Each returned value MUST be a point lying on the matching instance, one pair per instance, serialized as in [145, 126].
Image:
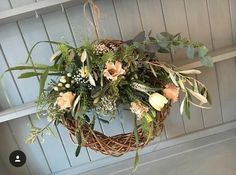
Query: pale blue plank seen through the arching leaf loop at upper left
[33, 31]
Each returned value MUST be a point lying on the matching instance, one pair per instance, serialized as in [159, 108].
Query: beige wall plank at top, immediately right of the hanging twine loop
[130, 23]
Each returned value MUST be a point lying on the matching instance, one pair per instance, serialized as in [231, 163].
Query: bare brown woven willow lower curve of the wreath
[119, 144]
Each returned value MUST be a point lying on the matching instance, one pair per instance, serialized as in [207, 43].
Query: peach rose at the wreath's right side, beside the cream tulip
[171, 92]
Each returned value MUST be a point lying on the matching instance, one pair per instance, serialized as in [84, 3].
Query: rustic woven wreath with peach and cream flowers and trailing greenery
[88, 83]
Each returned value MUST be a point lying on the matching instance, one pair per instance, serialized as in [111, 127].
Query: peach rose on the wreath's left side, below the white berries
[65, 100]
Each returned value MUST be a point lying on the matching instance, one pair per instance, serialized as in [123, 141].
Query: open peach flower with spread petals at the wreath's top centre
[112, 70]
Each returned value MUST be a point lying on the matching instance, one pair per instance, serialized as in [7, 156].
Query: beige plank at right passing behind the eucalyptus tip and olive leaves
[199, 28]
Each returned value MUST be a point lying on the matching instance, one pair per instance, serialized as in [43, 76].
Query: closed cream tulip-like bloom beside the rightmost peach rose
[157, 101]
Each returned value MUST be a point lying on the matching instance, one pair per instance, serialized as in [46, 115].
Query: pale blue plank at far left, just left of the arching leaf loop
[16, 53]
